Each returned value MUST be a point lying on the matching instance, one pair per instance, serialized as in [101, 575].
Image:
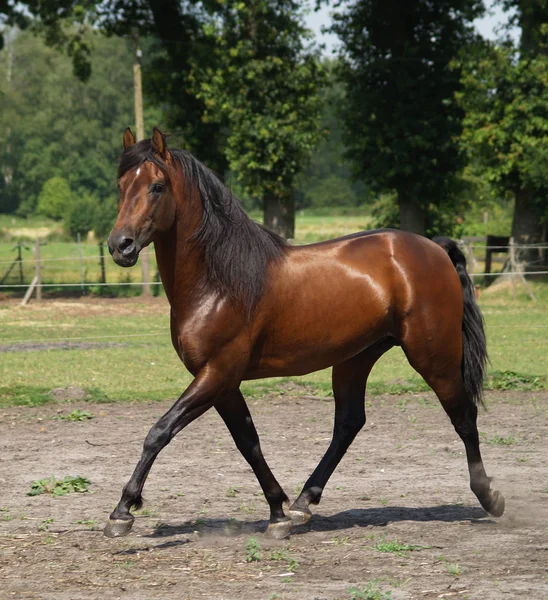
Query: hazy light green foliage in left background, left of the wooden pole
[57, 127]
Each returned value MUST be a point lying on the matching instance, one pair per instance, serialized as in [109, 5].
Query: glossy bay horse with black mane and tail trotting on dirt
[245, 305]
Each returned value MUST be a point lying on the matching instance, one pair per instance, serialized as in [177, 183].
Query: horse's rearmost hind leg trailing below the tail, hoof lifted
[441, 369]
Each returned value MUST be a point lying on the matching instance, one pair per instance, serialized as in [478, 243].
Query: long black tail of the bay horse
[474, 350]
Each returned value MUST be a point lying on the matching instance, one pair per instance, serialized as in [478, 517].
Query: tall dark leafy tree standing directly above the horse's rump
[401, 122]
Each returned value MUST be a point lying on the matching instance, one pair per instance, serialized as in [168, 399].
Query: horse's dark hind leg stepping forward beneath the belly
[349, 380]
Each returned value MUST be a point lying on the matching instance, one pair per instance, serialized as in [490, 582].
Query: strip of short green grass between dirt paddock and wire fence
[127, 352]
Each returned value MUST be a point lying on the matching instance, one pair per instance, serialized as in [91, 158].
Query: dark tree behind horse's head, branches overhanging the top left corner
[174, 38]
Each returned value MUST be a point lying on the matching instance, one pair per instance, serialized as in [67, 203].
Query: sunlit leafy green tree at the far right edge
[505, 98]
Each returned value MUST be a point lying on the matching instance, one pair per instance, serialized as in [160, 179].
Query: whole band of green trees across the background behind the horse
[418, 120]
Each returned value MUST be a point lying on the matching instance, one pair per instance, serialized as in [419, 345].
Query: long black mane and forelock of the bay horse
[237, 250]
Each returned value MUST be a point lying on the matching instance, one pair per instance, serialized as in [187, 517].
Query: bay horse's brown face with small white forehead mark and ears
[146, 205]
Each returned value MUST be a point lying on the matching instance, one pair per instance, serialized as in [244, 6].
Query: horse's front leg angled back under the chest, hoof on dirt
[234, 412]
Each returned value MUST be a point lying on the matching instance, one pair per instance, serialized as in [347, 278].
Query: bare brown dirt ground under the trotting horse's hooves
[402, 488]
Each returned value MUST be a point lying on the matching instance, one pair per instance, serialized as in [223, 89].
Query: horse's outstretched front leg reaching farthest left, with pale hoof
[200, 395]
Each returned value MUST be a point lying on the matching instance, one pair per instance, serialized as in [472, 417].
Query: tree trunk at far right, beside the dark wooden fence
[526, 225]
